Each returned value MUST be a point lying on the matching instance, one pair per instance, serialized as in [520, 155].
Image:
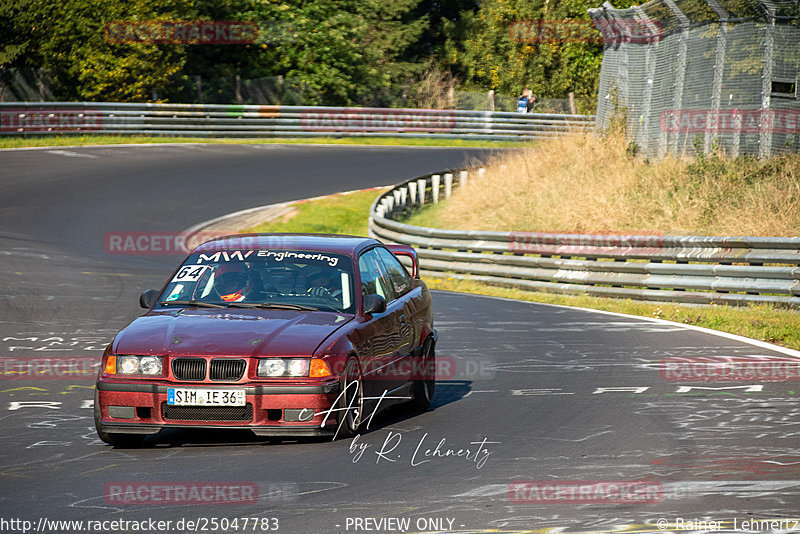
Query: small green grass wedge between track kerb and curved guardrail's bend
[336, 214]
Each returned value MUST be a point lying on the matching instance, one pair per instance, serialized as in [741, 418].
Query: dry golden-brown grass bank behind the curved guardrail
[589, 184]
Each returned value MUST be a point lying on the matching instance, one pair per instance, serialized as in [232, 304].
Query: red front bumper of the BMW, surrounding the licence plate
[127, 407]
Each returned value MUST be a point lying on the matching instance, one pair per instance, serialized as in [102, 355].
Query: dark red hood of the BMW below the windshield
[228, 332]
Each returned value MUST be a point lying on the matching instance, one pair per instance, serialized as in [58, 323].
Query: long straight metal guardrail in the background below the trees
[42, 118]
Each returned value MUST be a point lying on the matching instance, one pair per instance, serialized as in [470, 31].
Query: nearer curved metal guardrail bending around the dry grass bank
[688, 269]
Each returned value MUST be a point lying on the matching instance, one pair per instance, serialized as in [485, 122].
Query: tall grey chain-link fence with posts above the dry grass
[698, 76]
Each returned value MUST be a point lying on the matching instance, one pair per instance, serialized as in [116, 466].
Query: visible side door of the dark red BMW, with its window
[380, 339]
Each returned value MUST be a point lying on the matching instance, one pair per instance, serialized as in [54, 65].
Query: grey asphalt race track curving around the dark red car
[533, 393]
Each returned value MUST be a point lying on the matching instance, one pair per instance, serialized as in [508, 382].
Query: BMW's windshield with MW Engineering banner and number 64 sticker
[288, 279]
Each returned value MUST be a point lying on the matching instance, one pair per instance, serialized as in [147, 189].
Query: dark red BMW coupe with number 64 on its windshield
[281, 334]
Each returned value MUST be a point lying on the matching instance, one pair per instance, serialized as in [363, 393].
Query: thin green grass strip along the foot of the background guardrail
[79, 140]
